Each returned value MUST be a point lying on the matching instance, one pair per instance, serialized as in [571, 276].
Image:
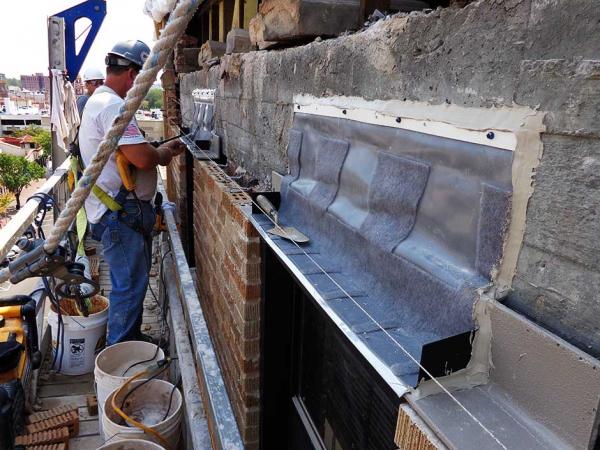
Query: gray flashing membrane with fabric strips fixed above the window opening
[410, 225]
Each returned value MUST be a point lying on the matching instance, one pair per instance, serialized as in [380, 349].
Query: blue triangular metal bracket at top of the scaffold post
[95, 11]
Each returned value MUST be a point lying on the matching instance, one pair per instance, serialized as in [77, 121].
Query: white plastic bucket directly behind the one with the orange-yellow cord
[115, 364]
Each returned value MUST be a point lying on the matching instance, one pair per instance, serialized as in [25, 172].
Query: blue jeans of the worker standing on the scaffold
[128, 253]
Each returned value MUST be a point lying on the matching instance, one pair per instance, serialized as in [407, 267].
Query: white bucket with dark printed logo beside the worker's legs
[83, 338]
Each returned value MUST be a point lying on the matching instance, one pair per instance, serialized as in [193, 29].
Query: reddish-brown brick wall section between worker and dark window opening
[227, 255]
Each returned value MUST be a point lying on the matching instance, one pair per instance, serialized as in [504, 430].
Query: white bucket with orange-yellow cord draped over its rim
[148, 404]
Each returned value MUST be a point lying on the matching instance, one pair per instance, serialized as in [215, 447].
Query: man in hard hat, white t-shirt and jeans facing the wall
[123, 220]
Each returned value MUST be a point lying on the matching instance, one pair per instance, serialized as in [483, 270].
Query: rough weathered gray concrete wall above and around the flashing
[492, 53]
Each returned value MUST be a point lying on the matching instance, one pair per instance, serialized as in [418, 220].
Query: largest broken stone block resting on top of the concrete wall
[285, 20]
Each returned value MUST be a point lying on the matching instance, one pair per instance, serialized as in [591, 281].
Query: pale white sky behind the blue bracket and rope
[24, 35]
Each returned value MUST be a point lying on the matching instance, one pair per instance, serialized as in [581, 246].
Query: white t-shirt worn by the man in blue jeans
[98, 115]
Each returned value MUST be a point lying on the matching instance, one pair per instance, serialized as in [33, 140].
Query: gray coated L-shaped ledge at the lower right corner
[543, 393]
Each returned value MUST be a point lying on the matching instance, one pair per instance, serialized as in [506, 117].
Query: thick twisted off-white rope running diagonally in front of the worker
[176, 25]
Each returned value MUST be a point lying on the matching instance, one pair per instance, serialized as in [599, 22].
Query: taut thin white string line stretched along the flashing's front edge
[398, 344]
